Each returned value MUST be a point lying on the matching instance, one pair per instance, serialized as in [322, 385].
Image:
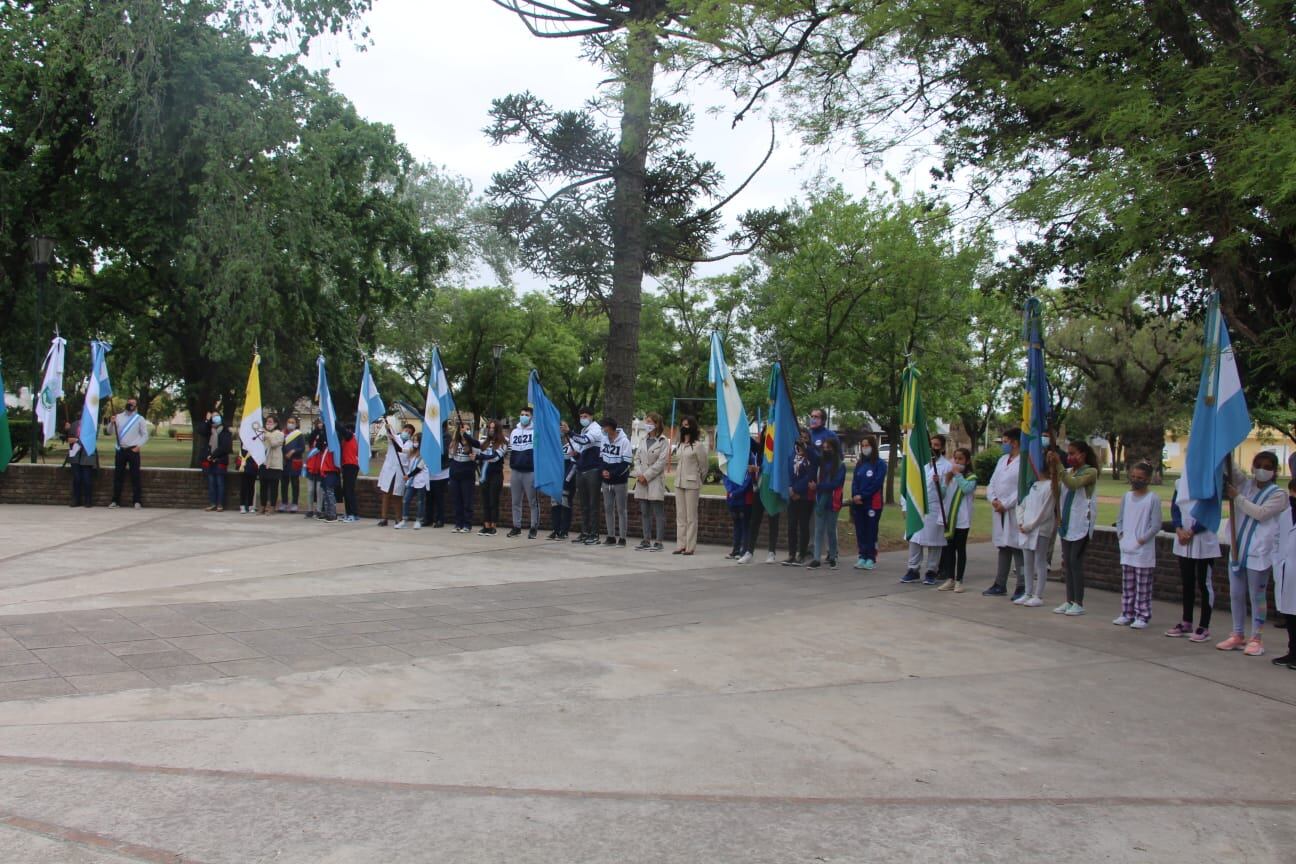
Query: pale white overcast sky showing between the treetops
[435, 67]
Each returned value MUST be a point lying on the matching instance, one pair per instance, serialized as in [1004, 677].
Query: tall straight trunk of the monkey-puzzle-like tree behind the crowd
[629, 210]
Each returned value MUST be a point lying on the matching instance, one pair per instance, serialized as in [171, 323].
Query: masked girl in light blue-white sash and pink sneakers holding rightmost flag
[1258, 503]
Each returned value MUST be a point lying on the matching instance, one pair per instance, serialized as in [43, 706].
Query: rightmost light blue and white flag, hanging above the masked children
[1220, 420]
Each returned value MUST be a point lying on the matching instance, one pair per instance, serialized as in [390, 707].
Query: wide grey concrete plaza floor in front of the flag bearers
[212, 688]
